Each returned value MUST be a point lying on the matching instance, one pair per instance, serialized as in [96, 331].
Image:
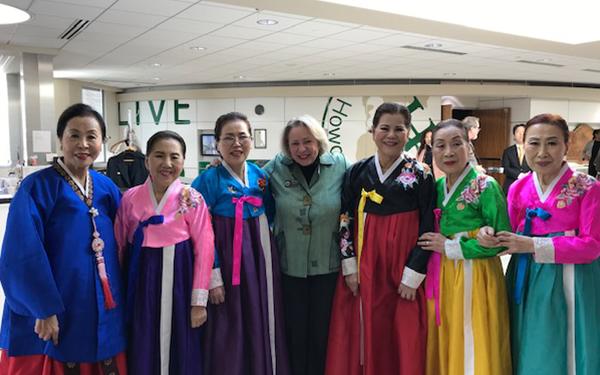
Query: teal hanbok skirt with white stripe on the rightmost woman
[555, 330]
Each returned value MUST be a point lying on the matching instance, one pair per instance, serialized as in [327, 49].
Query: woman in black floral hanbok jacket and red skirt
[379, 326]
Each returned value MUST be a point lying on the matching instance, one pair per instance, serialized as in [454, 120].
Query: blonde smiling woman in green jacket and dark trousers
[306, 182]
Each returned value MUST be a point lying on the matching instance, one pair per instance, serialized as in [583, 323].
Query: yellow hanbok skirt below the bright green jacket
[478, 341]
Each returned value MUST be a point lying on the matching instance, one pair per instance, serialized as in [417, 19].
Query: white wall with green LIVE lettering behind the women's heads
[346, 119]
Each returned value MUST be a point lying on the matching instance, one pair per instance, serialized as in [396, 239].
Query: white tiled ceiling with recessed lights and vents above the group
[132, 43]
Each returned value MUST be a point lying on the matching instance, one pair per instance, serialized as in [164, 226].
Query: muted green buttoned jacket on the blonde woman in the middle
[307, 215]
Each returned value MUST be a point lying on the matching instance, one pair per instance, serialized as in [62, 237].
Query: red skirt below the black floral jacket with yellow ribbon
[391, 337]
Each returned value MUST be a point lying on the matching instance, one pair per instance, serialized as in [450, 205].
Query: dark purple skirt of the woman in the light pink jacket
[161, 333]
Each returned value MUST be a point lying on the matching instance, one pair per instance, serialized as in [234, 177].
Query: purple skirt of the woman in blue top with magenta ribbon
[245, 334]
